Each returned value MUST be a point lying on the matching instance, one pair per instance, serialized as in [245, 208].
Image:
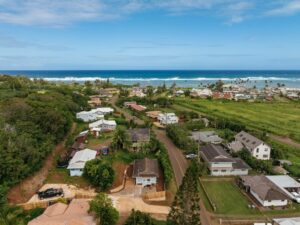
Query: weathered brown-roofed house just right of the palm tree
[139, 137]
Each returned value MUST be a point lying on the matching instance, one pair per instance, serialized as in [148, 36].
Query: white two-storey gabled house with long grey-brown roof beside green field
[256, 147]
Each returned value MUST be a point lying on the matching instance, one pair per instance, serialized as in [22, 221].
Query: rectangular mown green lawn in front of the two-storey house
[228, 198]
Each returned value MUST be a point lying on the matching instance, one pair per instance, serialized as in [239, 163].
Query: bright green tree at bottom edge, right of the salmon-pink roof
[103, 208]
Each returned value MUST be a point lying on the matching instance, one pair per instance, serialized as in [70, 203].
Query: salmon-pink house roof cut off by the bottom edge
[76, 213]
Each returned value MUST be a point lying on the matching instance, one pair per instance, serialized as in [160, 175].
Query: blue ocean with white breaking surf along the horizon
[184, 78]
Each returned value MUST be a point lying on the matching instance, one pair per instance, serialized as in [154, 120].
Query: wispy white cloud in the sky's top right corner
[286, 8]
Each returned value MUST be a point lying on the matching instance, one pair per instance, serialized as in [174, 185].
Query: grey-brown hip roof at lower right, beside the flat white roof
[264, 188]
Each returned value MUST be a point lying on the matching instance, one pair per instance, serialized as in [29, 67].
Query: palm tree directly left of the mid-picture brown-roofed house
[121, 140]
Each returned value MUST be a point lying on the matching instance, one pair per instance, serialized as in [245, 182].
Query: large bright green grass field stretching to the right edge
[280, 118]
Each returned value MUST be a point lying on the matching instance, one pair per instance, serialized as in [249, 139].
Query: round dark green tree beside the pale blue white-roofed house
[100, 173]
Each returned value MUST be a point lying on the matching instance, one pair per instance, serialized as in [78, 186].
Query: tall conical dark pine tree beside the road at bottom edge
[185, 209]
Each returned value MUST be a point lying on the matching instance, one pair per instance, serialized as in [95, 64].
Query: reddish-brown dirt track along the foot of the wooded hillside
[23, 191]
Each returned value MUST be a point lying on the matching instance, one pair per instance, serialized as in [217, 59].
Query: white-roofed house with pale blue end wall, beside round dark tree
[77, 163]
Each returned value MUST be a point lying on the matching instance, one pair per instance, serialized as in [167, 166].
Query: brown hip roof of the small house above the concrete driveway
[145, 168]
